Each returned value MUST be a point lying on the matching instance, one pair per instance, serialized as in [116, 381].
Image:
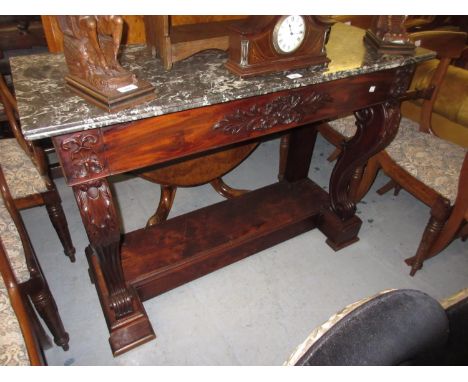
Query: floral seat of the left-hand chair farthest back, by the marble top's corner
[21, 175]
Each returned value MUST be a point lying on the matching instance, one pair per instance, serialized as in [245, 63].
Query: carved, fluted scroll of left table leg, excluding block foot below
[100, 219]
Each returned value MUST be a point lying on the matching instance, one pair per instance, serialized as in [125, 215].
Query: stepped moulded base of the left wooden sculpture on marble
[112, 101]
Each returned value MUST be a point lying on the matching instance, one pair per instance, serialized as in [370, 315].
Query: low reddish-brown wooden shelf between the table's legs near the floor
[162, 257]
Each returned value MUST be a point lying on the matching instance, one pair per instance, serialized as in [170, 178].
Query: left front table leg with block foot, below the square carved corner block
[127, 321]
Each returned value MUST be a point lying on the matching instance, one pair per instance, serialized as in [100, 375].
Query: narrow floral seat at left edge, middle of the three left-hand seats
[12, 242]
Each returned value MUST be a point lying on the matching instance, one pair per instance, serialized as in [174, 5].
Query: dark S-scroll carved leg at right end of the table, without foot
[376, 127]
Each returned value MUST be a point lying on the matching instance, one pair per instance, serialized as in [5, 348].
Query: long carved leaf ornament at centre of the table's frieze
[283, 110]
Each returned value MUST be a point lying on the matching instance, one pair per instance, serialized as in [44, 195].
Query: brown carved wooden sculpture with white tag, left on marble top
[91, 45]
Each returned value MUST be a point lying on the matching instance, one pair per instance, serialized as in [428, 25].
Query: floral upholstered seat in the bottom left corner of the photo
[13, 350]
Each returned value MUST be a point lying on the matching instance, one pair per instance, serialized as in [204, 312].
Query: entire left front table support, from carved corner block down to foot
[85, 168]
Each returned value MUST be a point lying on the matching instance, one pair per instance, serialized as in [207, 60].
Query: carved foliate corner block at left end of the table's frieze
[83, 155]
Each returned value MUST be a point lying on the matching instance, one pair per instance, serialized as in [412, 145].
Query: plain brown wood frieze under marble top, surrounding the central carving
[190, 132]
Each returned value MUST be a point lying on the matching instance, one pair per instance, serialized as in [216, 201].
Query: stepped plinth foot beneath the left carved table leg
[126, 333]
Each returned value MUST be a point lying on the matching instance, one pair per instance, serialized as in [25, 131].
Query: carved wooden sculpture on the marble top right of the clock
[388, 35]
